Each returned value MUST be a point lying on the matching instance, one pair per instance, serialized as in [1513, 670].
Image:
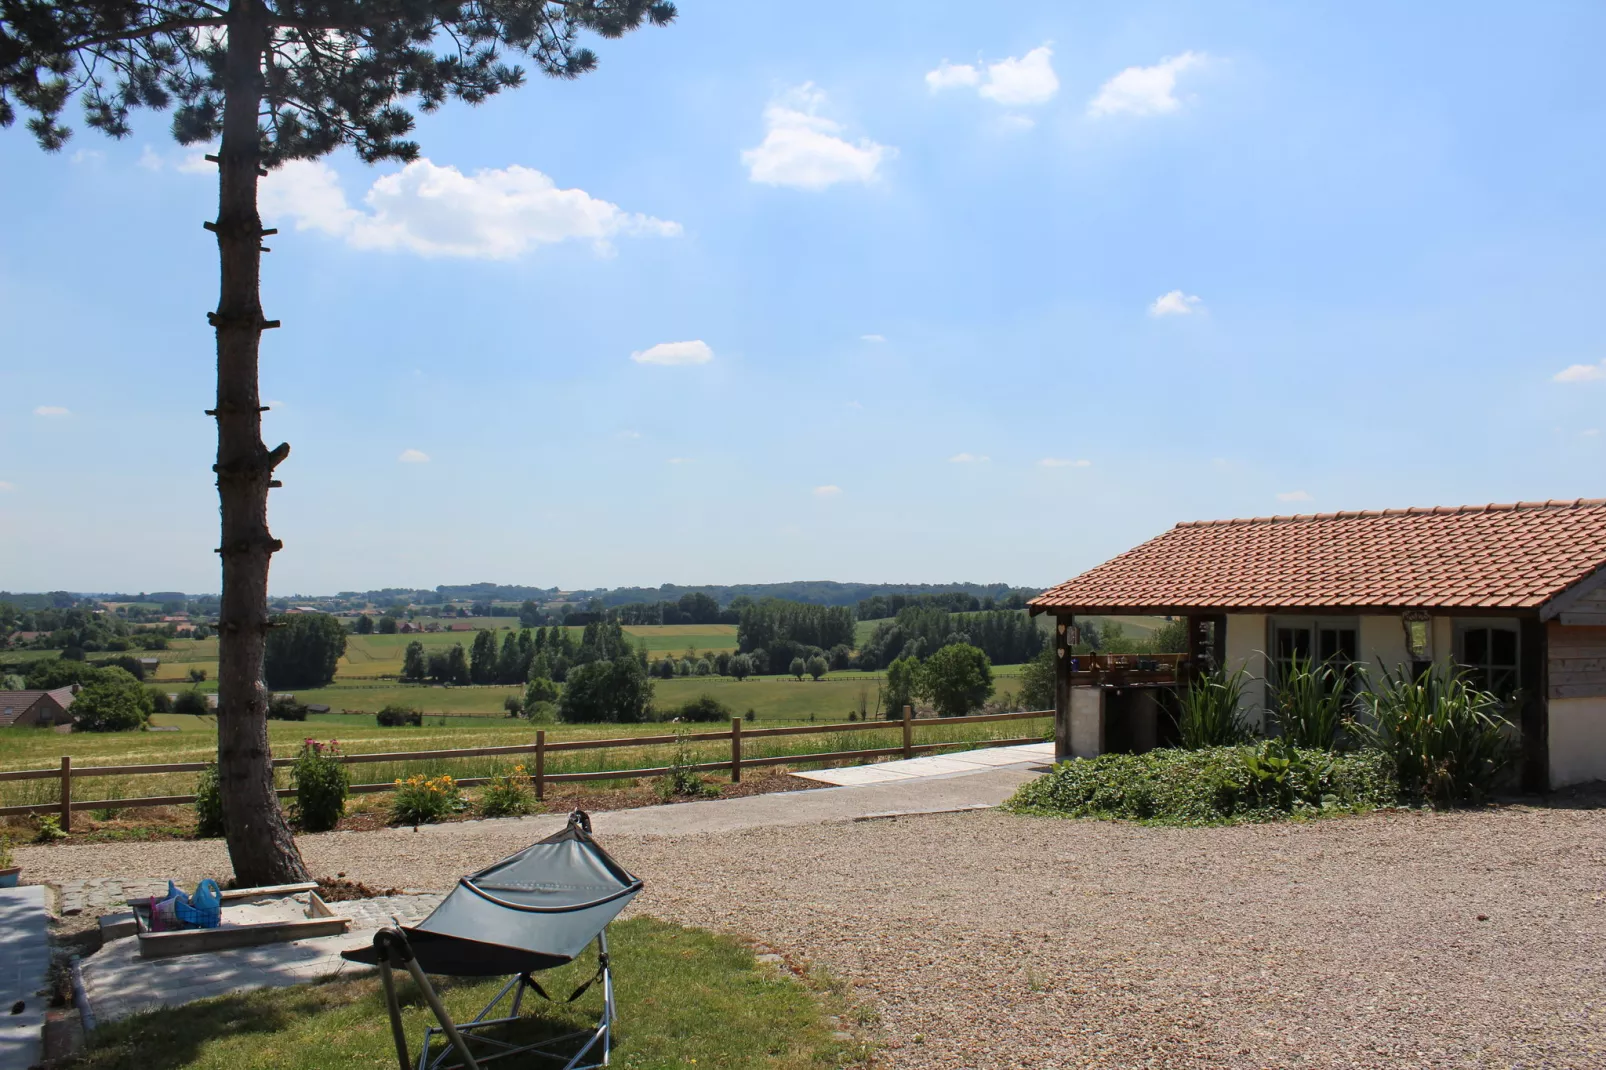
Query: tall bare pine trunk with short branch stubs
[259, 839]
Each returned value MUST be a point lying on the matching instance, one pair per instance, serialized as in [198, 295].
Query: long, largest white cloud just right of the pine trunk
[442, 213]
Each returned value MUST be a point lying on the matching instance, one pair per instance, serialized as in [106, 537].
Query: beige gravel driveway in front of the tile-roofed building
[992, 941]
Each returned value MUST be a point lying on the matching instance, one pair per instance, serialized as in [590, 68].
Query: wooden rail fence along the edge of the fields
[738, 737]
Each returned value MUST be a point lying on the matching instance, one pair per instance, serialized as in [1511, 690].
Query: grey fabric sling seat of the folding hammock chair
[531, 912]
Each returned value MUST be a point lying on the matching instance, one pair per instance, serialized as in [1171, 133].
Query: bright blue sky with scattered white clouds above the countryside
[908, 298]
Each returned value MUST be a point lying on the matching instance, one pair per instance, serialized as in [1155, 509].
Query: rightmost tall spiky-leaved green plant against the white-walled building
[1446, 738]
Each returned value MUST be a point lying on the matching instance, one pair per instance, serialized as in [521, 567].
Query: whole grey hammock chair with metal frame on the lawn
[528, 913]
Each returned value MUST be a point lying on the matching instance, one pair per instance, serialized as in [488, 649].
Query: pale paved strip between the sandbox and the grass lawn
[120, 982]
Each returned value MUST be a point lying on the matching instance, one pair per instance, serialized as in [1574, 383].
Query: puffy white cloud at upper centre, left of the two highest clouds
[804, 150]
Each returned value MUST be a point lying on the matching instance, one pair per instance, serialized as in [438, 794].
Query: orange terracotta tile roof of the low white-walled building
[1498, 557]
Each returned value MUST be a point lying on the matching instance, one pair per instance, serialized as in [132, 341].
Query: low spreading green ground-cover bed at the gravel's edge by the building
[1210, 786]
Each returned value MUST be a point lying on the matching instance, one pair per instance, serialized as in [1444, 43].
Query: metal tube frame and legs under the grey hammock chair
[396, 952]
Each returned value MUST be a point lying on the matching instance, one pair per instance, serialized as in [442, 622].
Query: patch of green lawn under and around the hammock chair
[687, 999]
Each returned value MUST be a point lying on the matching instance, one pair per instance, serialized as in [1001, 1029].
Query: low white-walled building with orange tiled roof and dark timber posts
[1515, 595]
